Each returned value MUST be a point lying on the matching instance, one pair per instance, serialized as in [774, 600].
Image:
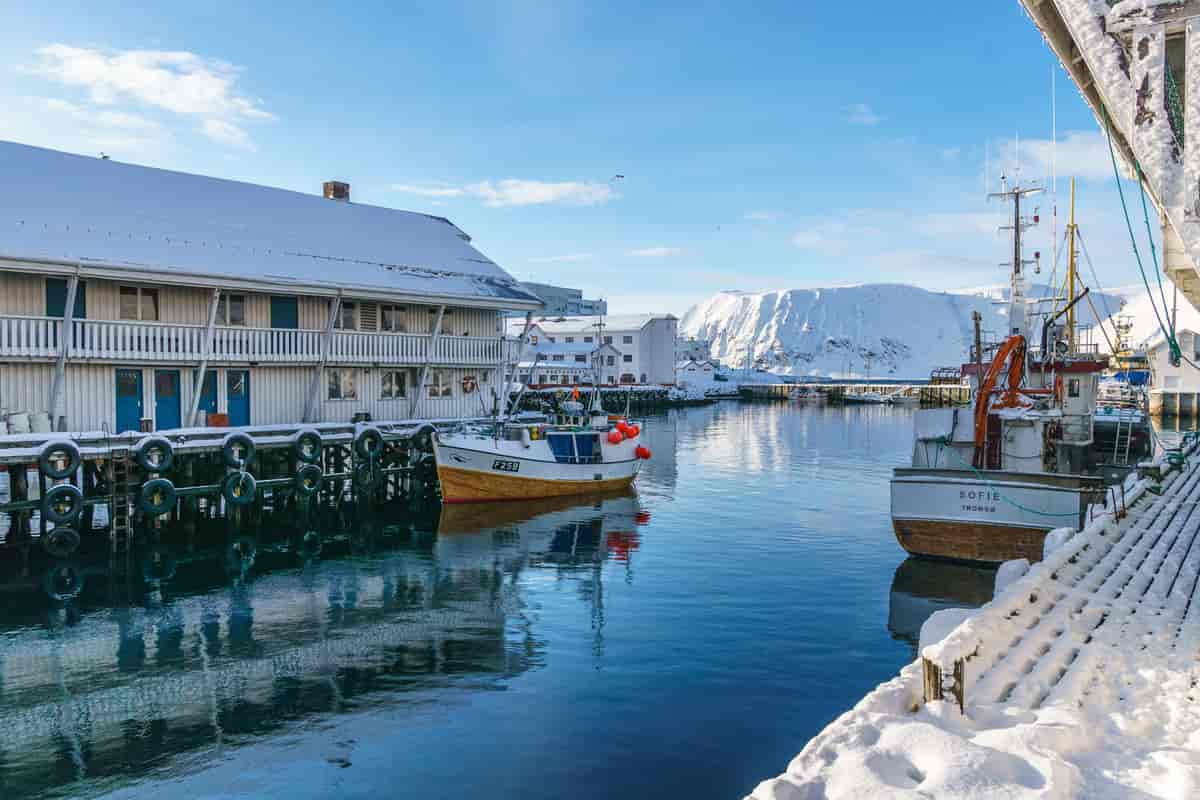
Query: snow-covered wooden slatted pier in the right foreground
[1078, 681]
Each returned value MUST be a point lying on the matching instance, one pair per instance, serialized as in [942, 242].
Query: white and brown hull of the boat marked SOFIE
[988, 516]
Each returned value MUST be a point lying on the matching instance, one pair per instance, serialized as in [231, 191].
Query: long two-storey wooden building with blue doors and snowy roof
[135, 297]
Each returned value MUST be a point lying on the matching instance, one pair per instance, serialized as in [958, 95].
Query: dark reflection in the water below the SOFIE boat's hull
[922, 587]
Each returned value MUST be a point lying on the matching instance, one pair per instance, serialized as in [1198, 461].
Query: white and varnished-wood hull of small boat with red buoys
[478, 474]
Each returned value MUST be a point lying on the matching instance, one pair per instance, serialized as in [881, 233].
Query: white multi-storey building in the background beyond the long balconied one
[643, 345]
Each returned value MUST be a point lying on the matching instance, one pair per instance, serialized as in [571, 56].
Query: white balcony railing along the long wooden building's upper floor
[101, 340]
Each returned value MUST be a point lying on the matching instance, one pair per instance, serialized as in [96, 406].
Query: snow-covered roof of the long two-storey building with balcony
[116, 218]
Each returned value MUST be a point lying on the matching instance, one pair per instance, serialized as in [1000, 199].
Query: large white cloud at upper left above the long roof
[122, 86]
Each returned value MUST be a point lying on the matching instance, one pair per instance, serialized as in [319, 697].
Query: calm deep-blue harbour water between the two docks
[686, 639]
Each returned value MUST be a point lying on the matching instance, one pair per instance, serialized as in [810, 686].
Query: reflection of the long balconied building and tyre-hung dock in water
[232, 636]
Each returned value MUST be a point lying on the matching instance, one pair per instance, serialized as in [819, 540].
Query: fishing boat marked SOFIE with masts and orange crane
[988, 484]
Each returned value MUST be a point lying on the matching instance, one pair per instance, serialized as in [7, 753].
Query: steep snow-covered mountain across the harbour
[885, 330]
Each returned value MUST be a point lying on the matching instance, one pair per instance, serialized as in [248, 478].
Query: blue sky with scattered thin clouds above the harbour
[776, 147]
